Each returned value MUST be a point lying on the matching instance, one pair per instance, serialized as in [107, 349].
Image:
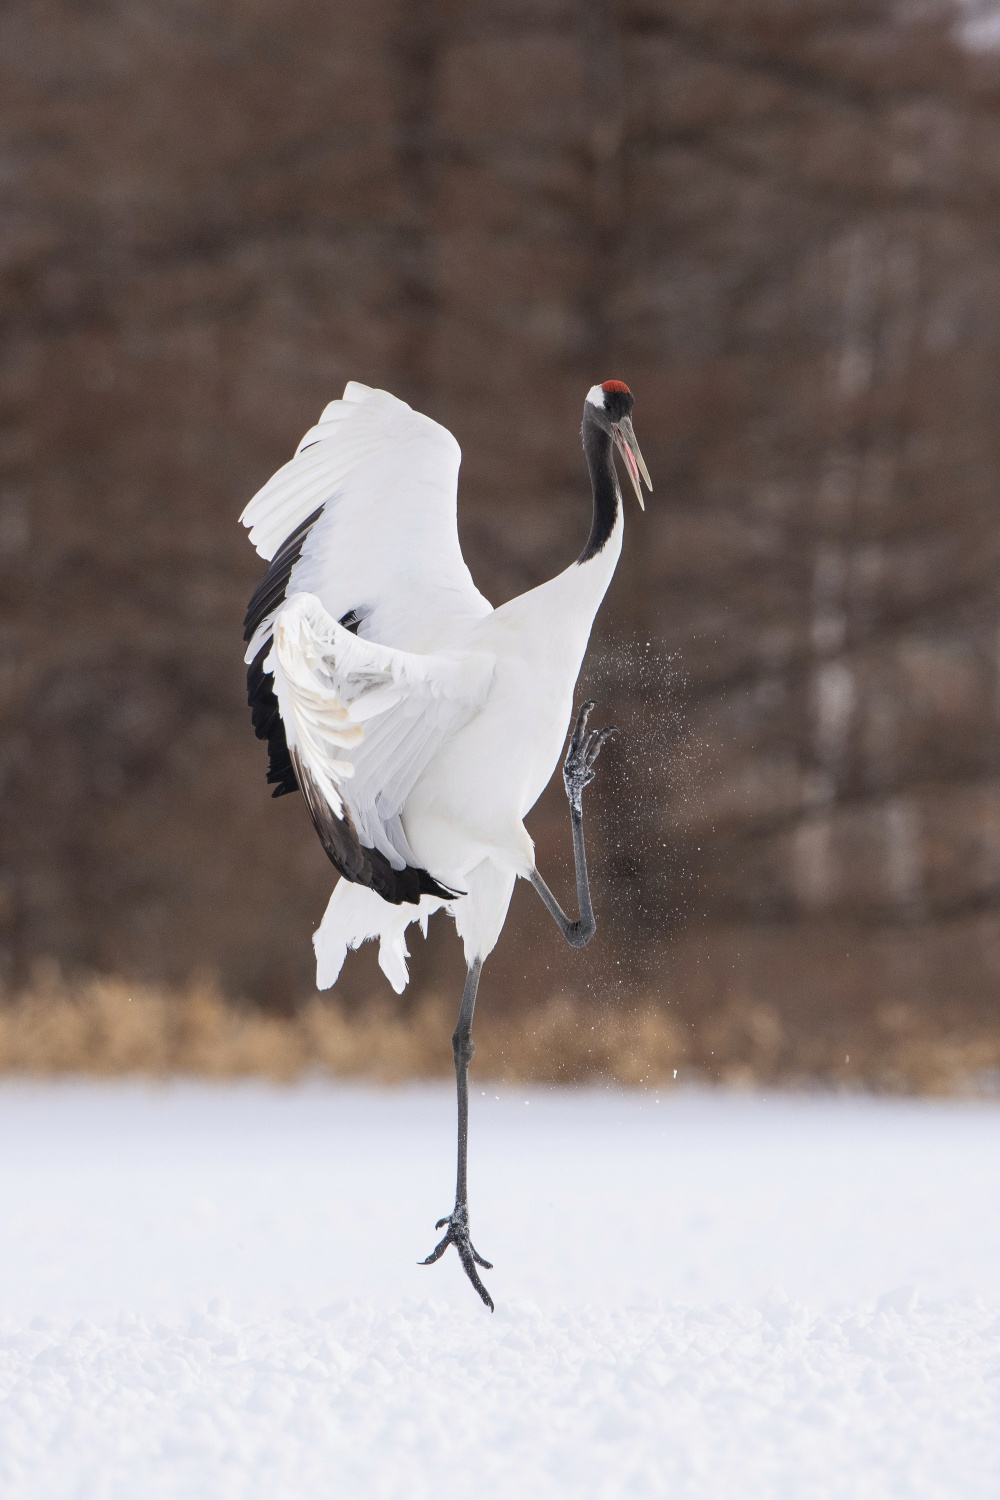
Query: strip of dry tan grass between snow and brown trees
[106, 1027]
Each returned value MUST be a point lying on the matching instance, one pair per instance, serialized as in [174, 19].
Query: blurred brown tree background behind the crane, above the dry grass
[776, 220]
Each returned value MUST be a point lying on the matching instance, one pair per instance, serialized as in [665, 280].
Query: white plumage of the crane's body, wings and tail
[440, 724]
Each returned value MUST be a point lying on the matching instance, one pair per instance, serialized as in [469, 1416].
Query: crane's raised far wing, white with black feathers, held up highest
[364, 517]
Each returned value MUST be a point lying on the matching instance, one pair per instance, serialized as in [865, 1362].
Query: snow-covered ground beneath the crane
[212, 1292]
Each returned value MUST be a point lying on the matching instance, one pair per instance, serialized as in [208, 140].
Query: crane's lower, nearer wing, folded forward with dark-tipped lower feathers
[362, 722]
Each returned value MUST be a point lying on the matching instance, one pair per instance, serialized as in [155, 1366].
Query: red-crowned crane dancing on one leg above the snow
[419, 722]
